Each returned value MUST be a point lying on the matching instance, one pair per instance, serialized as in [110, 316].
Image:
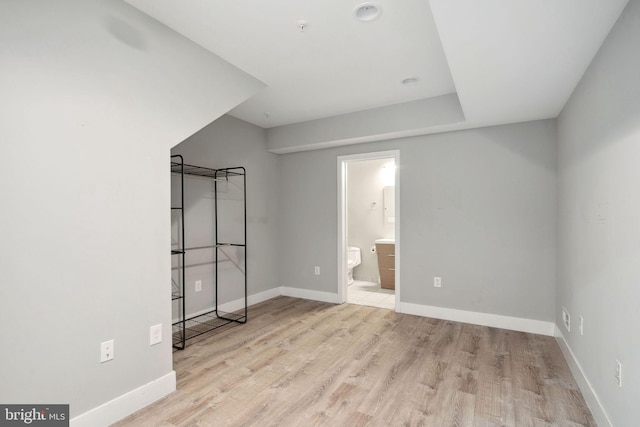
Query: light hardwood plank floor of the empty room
[305, 363]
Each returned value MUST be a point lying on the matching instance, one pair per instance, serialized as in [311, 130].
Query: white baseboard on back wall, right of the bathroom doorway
[483, 319]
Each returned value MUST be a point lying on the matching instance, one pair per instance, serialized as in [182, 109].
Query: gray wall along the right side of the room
[599, 219]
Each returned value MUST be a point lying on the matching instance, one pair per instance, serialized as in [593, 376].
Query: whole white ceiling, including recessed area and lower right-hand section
[508, 60]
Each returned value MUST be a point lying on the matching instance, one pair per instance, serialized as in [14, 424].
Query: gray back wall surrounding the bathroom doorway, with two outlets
[478, 208]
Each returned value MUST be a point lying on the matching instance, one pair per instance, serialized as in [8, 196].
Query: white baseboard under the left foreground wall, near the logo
[126, 404]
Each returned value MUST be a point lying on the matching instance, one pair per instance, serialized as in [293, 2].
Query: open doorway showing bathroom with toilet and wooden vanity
[368, 222]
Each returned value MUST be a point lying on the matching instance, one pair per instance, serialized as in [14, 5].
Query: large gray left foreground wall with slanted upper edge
[94, 94]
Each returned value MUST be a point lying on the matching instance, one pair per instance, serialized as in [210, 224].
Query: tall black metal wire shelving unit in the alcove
[187, 327]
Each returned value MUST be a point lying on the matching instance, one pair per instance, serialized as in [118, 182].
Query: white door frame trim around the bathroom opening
[342, 218]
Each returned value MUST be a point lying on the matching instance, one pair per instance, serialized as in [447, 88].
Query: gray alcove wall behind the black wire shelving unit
[230, 142]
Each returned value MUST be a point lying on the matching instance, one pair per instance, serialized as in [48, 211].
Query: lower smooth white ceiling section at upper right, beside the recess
[518, 60]
